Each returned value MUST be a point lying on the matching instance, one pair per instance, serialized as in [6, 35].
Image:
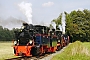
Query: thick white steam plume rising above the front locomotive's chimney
[26, 8]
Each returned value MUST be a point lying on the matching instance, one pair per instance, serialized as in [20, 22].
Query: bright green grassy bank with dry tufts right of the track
[75, 51]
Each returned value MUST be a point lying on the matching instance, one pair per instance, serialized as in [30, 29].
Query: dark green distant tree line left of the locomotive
[6, 34]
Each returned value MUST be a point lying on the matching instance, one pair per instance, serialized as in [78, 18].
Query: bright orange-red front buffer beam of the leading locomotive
[22, 50]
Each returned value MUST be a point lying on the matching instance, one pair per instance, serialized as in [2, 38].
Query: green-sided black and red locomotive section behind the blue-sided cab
[52, 41]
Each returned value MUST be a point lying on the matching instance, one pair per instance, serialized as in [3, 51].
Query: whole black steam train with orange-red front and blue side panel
[34, 40]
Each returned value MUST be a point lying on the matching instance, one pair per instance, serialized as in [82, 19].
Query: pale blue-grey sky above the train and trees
[43, 11]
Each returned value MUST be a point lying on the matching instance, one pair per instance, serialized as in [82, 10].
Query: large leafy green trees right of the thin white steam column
[78, 25]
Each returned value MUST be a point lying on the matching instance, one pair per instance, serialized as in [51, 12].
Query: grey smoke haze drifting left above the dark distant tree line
[11, 22]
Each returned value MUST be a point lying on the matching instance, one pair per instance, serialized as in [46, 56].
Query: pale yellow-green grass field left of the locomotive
[6, 50]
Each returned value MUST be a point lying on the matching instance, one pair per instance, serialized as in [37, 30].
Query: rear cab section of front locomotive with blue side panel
[41, 39]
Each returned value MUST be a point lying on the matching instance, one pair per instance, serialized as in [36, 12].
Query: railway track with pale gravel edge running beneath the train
[42, 57]
